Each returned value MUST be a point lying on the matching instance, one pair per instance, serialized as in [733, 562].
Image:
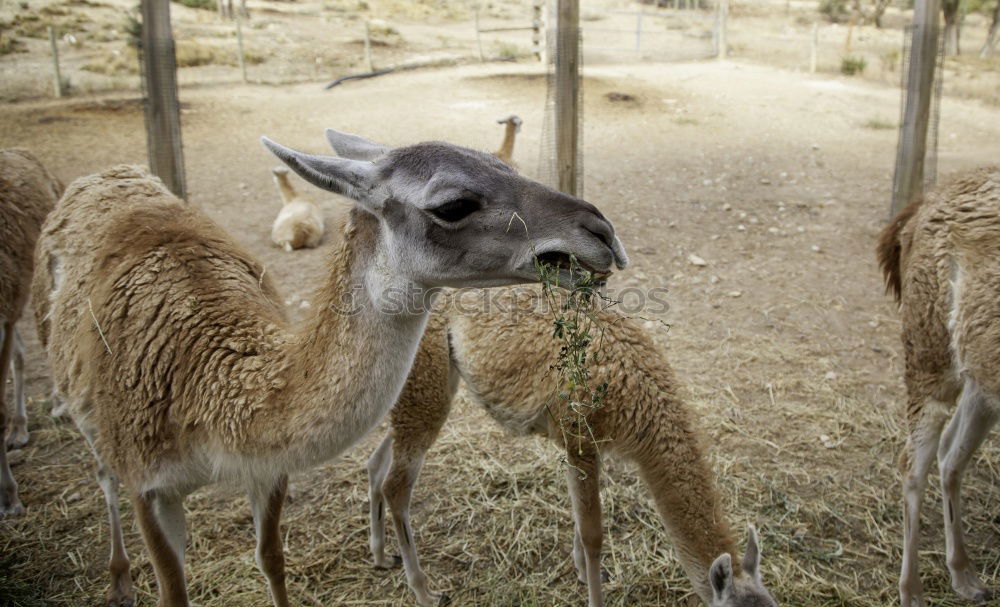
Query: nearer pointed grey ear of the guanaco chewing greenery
[352, 178]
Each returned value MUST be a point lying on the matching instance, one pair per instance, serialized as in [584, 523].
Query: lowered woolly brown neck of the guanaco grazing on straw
[674, 468]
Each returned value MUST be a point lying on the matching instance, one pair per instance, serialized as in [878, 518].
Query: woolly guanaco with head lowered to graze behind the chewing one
[506, 365]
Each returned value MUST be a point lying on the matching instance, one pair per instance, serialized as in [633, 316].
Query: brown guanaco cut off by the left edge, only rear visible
[27, 194]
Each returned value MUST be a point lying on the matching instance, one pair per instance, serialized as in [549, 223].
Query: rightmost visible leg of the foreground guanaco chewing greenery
[270, 555]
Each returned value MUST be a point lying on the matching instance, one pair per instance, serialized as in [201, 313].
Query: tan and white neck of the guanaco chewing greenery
[346, 366]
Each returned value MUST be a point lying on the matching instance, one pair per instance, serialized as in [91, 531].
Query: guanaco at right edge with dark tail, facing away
[941, 259]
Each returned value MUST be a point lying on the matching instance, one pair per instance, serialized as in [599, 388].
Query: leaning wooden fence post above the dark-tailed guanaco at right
[908, 182]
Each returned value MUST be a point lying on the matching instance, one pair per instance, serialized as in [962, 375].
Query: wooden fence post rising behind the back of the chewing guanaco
[163, 120]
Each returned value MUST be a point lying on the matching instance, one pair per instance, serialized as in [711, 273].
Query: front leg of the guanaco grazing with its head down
[583, 476]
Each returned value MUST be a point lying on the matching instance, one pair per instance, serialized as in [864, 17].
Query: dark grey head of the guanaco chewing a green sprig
[452, 216]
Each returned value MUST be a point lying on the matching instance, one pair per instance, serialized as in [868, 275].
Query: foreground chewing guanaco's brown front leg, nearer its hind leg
[162, 525]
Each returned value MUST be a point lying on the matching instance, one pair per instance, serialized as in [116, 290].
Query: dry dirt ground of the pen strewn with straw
[787, 347]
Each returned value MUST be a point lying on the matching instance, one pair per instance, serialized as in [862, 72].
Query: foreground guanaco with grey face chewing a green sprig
[171, 349]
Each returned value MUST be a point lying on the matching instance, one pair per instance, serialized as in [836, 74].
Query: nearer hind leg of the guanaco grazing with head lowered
[398, 489]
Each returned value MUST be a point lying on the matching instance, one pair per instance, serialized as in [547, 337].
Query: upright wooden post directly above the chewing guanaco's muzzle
[567, 93]
